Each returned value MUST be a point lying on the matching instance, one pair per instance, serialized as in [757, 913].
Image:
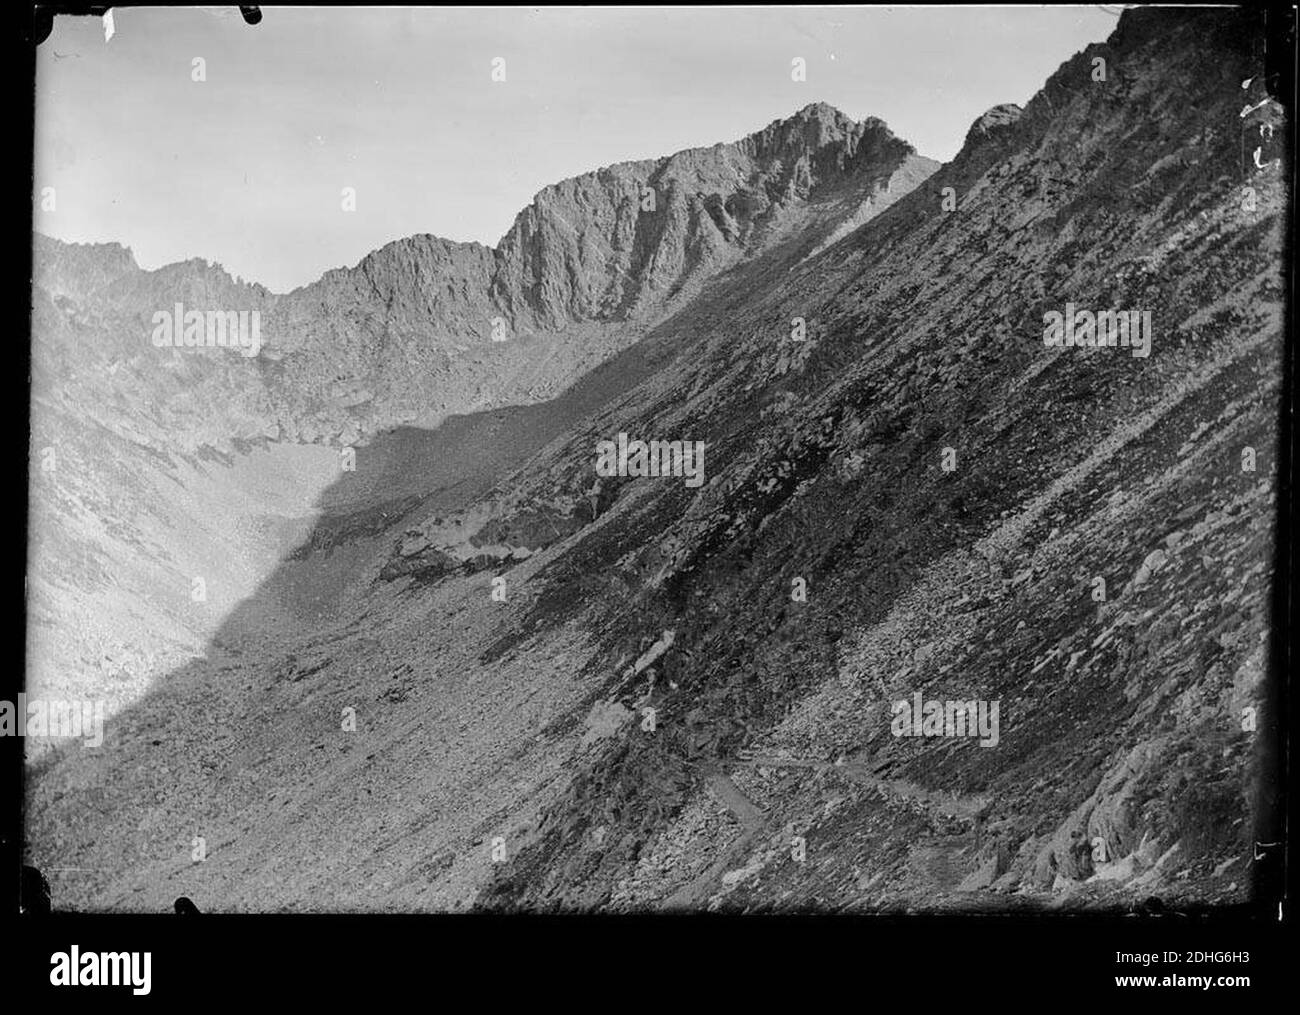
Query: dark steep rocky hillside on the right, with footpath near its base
[1121, 719]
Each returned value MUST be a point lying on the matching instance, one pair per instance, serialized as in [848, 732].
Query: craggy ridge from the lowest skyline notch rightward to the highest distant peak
[423, 328]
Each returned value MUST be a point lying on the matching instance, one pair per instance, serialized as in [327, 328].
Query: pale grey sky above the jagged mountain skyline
[248, 167]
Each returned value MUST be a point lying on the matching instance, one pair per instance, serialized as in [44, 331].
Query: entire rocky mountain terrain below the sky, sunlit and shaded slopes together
[474, 678]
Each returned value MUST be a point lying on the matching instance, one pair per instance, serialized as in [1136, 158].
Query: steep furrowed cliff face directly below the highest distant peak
[587, 249]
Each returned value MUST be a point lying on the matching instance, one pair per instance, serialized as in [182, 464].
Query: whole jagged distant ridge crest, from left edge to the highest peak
[408, 335]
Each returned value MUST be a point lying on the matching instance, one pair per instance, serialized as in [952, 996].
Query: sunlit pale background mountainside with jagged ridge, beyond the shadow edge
[404, 337]
